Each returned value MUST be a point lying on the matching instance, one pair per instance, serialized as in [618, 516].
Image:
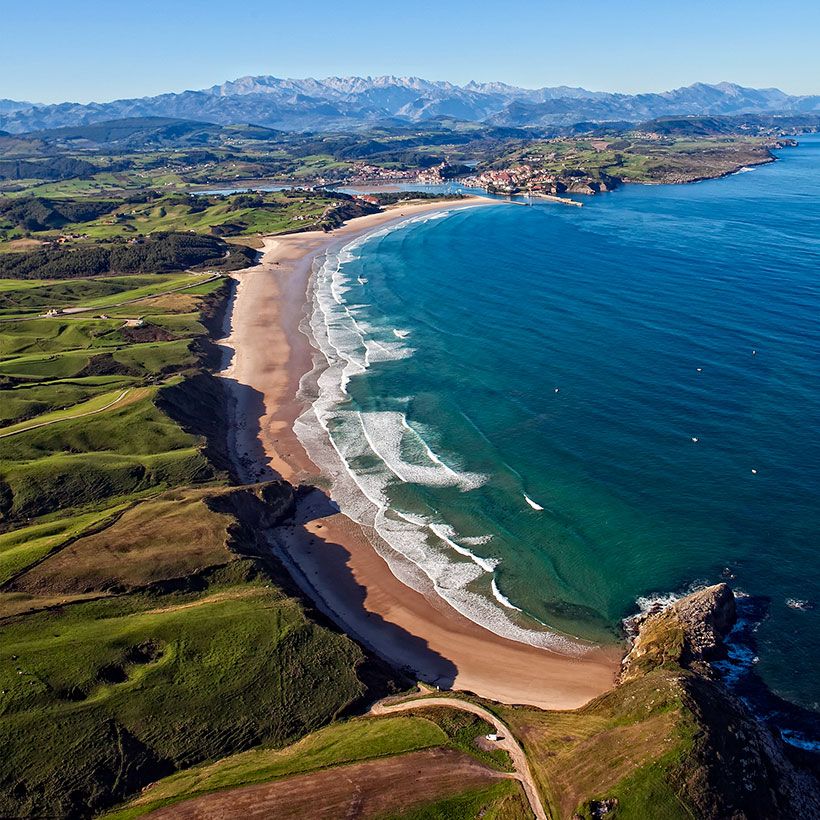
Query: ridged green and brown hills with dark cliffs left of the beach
[140, 630]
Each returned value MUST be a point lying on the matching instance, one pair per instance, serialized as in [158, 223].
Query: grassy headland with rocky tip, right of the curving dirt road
[669, 741]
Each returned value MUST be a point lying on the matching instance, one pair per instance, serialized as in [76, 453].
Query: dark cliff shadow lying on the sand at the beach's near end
[407, 652]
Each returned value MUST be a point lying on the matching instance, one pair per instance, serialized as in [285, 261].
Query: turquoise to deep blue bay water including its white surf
[514, 393]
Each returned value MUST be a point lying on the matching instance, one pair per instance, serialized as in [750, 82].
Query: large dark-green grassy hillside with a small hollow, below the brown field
[171, 678]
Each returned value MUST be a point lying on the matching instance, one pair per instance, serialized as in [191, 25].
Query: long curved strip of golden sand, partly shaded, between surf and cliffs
[329, 555]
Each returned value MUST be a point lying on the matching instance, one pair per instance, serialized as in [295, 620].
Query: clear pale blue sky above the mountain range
[80, 50]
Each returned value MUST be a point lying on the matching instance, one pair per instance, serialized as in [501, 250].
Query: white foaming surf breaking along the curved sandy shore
[336, 438]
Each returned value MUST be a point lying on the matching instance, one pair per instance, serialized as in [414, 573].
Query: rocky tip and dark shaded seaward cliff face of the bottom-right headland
[735, 767]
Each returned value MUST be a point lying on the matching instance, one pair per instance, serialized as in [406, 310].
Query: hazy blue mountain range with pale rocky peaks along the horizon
[352, 102]
